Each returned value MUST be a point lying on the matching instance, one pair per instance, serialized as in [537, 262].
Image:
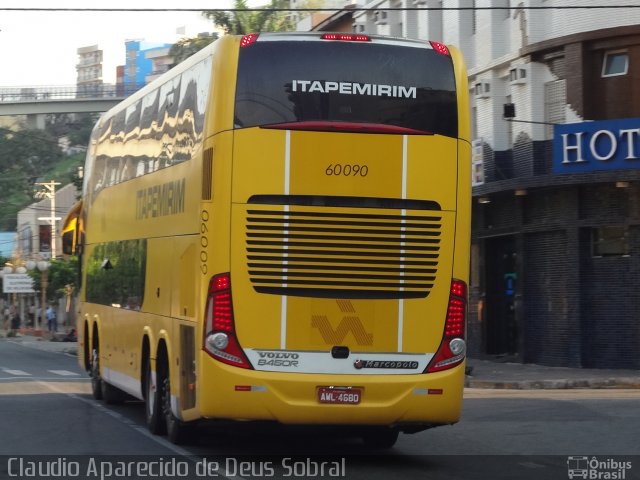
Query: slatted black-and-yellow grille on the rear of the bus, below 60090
[327, 253]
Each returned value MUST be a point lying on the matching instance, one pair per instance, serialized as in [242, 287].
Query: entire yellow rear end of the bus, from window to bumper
[344, 301]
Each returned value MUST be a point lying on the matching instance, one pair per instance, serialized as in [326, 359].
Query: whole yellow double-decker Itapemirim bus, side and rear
[278, 229]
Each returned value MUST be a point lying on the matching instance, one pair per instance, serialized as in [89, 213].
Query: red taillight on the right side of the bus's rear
[453, 346]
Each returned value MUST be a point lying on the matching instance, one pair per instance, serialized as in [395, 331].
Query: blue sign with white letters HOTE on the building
[594, 146]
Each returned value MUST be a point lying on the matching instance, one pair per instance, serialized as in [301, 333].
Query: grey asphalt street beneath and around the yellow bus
[46, 409]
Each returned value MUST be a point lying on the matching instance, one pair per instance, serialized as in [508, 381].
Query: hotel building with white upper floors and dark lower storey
[555, 108]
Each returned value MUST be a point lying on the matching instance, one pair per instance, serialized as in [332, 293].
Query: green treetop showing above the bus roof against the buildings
[242, 20]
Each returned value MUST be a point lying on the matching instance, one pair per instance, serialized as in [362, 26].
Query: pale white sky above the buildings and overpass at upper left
[40, 47]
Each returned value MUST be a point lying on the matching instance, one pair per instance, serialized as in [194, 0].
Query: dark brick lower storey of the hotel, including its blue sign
[556, 254]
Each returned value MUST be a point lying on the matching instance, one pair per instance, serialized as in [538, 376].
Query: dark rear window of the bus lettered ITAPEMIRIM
[313, 82]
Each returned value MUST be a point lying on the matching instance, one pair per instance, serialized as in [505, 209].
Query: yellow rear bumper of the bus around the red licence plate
[407, 401]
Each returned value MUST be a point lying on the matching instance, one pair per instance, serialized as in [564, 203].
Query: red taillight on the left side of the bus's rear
[220, 339]
